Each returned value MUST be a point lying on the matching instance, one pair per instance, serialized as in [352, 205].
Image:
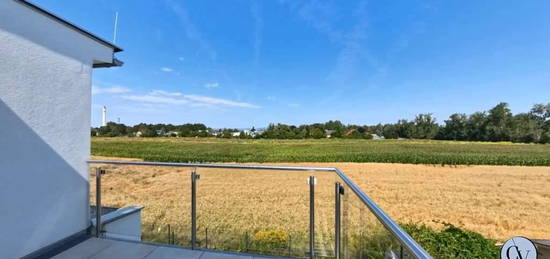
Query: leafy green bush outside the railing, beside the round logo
[453, 242]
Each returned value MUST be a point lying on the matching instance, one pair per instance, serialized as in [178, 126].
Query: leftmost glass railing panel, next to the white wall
[163, 192]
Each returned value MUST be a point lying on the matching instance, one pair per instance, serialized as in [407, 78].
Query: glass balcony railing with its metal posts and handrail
[301, 212]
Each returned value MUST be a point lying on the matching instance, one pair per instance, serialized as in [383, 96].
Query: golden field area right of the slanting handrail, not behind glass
[497, 201]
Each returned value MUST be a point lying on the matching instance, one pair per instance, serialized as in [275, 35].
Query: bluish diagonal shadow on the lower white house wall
[41, 195]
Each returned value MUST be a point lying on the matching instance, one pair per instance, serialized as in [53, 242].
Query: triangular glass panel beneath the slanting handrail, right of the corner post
[363, 236]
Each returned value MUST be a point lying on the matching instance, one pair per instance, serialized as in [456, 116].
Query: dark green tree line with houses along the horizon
[496, 124]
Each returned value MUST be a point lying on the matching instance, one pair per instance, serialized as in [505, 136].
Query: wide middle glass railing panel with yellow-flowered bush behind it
[254, 211]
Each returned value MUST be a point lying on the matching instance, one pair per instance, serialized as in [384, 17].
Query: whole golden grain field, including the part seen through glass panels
[497, 201]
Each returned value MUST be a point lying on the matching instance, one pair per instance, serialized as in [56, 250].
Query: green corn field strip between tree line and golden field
[324, 150]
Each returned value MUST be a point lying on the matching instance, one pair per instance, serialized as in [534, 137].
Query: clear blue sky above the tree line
[248, 63]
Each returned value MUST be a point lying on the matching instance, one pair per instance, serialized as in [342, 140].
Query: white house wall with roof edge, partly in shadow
[45, 99]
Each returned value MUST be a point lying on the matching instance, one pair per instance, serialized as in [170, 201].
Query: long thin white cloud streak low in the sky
[176, 98]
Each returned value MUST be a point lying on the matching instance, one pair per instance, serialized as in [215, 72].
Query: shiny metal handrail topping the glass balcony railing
[403, 237]
